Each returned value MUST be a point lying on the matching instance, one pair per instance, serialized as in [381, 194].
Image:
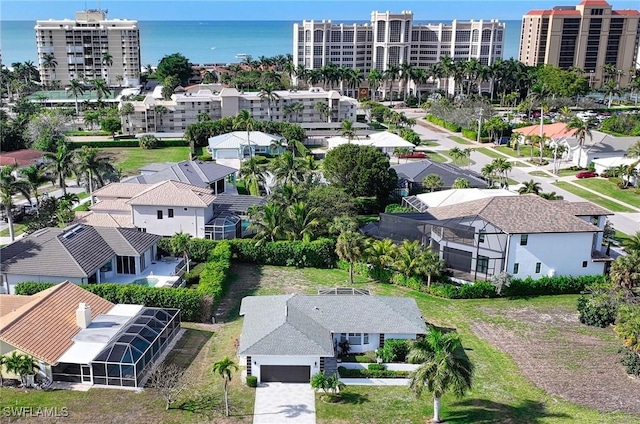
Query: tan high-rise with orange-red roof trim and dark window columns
[587, 36]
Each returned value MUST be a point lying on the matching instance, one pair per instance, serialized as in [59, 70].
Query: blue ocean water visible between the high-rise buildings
[201, 42]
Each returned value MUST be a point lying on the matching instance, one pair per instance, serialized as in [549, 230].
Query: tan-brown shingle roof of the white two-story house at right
[518, 215]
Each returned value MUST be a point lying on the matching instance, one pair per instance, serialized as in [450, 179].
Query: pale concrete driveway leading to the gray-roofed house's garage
[278, 403]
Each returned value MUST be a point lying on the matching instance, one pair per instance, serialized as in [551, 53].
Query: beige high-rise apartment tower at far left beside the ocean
[79, 47]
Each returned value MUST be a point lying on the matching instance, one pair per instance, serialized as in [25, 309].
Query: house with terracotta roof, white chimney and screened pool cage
[78, 337]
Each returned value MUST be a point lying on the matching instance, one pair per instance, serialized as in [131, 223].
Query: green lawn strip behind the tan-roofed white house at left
[130, 159]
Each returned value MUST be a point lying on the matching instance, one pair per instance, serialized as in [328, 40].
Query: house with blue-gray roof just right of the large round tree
[411, 175]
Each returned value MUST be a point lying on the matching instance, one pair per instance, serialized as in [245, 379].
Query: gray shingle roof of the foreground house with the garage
[303, 325]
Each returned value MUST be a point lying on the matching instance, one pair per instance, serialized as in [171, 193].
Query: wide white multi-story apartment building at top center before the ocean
[394, 38]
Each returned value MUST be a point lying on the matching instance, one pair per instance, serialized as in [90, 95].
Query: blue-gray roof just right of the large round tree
[417, 171]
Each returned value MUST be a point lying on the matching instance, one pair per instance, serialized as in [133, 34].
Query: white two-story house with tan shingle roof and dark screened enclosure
[523, 235]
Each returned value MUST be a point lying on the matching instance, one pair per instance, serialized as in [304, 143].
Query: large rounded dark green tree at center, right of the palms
[362, 171]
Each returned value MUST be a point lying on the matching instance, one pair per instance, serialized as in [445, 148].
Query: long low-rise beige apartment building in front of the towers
[153, 114]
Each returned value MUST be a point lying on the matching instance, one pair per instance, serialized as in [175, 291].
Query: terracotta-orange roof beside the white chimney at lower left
[44, 327]
